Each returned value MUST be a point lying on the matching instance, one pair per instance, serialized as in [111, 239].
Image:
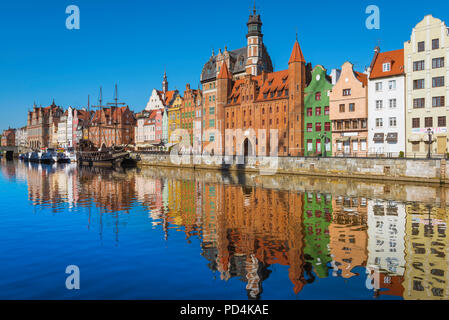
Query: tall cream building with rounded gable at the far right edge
[426, 57]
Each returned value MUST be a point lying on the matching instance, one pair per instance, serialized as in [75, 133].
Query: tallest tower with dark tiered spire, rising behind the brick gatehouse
[254, 44]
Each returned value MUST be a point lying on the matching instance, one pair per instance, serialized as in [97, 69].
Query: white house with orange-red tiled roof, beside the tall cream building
[386, 104]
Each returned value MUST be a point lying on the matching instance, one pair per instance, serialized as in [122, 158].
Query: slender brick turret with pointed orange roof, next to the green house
[296, 86]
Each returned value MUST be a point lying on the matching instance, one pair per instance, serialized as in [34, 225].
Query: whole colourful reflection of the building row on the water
[245, 230]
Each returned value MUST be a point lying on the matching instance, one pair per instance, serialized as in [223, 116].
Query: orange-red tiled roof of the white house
[396, 58]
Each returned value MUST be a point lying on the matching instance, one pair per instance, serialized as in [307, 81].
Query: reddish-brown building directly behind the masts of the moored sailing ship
[112, 126]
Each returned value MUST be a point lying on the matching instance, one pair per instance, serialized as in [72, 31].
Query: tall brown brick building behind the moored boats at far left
[42, 125]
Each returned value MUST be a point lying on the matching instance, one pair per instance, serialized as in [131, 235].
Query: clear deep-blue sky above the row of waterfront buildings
[132, 42]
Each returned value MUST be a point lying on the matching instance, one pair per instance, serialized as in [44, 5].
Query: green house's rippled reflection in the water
[317, 219]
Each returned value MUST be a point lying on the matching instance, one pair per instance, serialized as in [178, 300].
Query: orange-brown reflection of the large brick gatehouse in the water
[248, 229]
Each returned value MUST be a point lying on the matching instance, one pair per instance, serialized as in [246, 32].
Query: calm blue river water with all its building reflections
[156, 233]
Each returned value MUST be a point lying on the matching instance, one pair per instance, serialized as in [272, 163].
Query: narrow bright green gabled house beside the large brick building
[317, 125]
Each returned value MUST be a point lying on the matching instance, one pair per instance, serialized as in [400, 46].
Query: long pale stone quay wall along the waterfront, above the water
[395, 169]
